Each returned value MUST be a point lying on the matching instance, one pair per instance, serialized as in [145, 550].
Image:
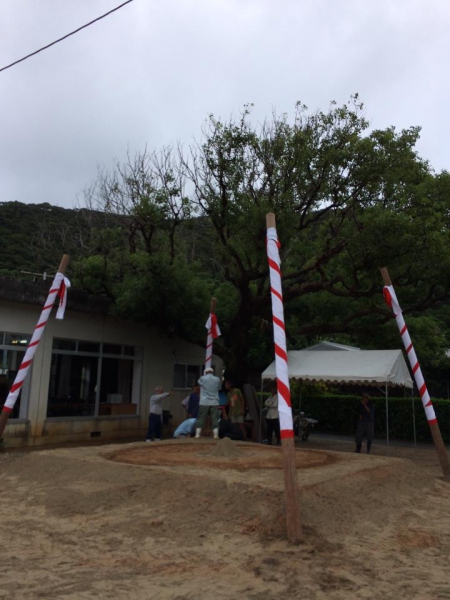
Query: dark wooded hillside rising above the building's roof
[35, 236]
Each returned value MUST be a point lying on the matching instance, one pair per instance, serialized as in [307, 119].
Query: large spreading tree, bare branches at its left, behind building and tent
[347, 200]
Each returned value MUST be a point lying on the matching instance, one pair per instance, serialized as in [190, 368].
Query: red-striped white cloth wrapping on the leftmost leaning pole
[58, 287]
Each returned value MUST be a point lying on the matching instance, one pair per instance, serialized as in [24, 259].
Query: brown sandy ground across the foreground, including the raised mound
[196, 524]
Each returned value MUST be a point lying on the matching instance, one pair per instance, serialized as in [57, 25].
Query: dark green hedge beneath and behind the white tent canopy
[339, 414]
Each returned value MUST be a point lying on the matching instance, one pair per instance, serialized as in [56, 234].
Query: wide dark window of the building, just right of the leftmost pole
[84, 381]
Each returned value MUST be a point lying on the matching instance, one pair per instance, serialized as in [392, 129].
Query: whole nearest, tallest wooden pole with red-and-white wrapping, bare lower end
[294, 528]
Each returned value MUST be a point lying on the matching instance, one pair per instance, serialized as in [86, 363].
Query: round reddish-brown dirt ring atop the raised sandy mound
[223, 454]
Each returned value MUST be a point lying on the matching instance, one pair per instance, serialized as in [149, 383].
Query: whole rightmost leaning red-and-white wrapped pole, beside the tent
[391, 300]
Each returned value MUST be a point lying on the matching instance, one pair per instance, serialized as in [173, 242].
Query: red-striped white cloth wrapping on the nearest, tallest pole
[279, 333]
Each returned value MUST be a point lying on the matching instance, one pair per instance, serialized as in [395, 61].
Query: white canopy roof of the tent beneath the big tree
[362, 367]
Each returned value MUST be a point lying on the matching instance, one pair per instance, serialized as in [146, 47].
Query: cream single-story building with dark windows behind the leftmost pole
[92, 375]
